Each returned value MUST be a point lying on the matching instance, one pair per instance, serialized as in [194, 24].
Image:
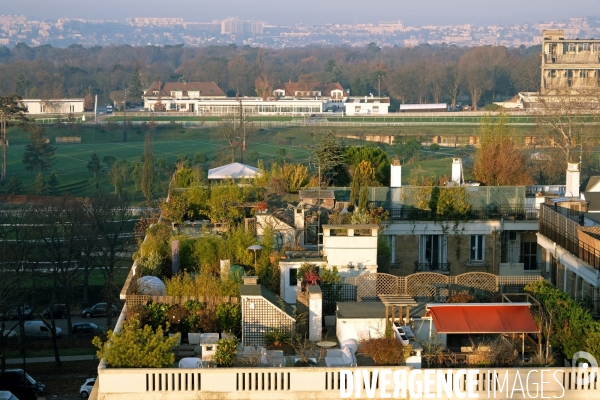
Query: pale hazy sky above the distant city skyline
[280, 12]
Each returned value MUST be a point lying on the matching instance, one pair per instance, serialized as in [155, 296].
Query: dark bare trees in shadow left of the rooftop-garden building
[61, 240]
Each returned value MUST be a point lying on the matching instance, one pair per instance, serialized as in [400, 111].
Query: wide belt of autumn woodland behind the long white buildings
[412, 75]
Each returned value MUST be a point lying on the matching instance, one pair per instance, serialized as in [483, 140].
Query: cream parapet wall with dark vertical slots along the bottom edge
[321, 383]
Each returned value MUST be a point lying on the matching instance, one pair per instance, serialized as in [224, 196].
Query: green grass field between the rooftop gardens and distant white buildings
[171, 141]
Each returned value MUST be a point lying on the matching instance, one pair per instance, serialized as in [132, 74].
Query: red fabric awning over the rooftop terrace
[482, 318]
